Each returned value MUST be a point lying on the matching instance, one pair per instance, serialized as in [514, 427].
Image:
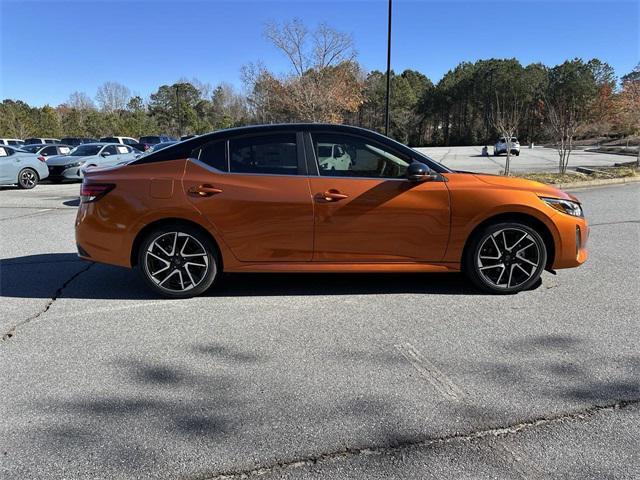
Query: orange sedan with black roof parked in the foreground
[320, 198]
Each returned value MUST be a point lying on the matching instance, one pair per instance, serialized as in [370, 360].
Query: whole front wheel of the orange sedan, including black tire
[487, 273]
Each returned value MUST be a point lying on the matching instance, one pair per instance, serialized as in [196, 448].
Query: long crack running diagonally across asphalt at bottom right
[347, 453]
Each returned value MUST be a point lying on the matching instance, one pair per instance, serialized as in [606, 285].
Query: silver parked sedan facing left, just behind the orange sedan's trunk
[72, 166]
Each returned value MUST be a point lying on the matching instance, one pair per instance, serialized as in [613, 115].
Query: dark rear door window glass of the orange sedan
[268, 154]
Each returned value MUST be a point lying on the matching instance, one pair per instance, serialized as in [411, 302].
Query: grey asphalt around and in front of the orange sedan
[325, 376]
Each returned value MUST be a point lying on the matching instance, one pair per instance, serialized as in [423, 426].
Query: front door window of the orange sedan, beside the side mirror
[340, 155]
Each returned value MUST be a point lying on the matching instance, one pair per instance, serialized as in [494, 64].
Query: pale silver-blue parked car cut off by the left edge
[21, 168]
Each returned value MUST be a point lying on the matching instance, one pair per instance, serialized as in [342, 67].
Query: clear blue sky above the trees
[50, 49]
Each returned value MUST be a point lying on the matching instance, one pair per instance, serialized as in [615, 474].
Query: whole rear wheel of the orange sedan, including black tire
[191, 280]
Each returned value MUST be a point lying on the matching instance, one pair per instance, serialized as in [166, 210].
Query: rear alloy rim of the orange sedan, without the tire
[176, 262]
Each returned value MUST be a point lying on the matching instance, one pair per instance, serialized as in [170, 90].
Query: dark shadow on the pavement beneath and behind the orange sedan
[63, 274]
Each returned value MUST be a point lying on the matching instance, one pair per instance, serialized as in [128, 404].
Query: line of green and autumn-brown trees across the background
[326, 83]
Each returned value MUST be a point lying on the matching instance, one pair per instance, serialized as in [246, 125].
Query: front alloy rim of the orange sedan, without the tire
[508, 258]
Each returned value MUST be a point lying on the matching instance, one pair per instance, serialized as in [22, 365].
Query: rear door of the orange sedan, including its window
[254, 191]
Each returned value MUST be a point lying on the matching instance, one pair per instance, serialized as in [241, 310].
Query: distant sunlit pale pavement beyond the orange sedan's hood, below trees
[537, 159]
